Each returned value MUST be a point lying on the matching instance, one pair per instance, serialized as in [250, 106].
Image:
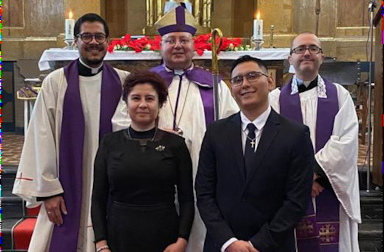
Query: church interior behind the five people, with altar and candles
[35, 42]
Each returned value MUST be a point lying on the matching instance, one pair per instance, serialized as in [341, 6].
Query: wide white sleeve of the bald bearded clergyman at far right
[338, 158]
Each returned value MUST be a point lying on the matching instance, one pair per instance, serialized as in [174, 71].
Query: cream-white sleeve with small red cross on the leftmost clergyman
[37, 174]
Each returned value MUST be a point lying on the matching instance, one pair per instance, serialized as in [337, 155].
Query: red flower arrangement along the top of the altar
[201, 43]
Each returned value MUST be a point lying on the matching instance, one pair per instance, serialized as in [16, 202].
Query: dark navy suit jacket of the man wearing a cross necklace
[264, 207]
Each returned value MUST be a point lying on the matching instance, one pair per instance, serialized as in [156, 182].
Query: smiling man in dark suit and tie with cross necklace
[255, 170]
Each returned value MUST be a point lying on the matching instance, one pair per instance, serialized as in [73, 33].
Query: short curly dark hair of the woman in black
[144, 77]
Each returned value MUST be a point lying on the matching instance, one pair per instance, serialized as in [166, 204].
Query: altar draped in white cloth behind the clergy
[55, 58]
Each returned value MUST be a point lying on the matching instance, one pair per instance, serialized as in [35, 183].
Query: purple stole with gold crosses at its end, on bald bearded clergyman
[317, 232]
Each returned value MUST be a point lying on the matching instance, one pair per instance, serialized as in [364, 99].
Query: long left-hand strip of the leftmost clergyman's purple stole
[70, 163]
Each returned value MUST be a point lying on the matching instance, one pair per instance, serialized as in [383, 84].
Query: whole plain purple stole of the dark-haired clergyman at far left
[65, 237]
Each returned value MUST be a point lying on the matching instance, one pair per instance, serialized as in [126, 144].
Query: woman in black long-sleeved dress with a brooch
[136, 173]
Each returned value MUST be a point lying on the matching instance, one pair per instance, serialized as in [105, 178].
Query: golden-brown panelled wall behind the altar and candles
[32, 26]
